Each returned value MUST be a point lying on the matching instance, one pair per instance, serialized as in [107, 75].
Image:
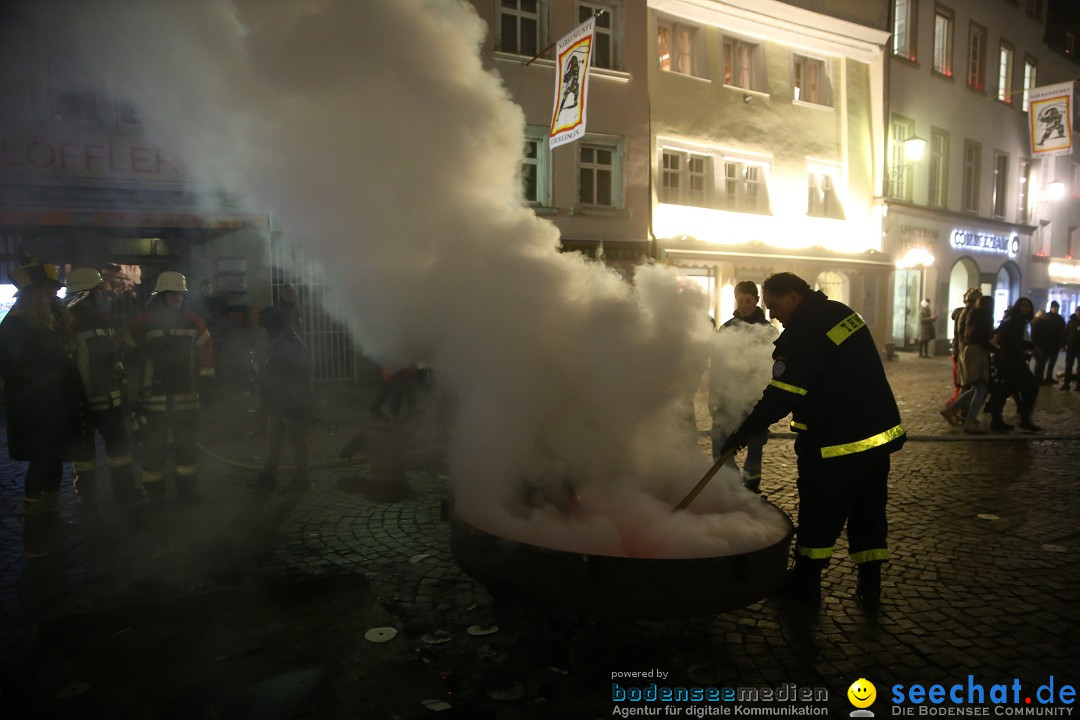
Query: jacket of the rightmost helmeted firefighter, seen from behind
[174, 350]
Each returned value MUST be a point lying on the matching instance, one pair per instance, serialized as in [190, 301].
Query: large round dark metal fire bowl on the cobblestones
[619, 588]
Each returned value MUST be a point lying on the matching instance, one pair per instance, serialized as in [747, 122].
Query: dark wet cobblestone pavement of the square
[259, 606]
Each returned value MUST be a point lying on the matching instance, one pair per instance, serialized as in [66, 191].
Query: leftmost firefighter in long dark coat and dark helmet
[43, 393]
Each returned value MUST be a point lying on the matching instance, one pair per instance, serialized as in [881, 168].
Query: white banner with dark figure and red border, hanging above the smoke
[573, 55]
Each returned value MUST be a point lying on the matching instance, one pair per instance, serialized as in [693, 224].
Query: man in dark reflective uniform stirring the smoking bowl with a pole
[829, 375]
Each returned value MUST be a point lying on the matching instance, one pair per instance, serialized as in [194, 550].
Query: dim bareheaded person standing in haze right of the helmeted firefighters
[288, 400]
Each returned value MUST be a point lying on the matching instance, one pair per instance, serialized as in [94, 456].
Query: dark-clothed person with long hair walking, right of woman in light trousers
[1012, 370]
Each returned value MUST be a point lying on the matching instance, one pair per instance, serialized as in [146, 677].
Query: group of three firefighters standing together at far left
[66, 381]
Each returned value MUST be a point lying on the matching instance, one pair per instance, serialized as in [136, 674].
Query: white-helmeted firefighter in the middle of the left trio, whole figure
[98, 356]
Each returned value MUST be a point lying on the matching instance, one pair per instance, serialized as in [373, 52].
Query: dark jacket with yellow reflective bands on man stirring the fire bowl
[828, 374]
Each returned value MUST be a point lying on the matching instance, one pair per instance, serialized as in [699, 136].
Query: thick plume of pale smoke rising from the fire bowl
[375, 138]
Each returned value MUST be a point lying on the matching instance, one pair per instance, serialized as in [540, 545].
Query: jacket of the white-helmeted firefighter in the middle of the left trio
[98, 355]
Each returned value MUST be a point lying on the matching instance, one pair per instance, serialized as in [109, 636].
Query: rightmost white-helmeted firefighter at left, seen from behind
[173, 352]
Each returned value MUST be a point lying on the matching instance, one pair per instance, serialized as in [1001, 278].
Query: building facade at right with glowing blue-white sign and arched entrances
[969, 203]
